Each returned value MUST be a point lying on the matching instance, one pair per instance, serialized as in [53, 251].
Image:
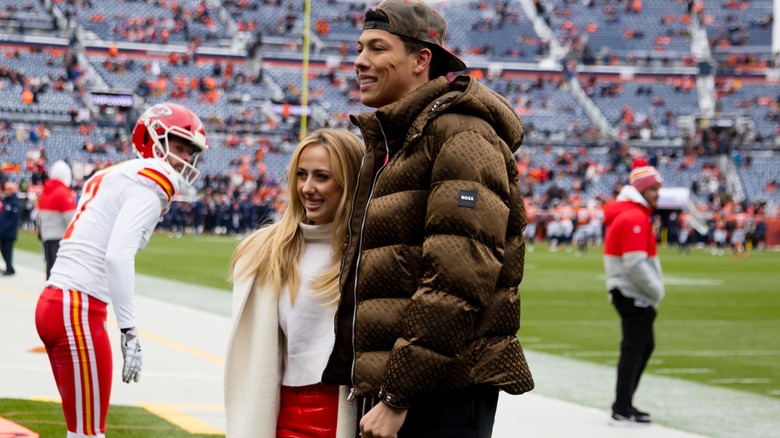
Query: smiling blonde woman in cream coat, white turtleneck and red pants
[285, 293]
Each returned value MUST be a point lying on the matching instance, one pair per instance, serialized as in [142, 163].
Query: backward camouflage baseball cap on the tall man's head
[415, 19]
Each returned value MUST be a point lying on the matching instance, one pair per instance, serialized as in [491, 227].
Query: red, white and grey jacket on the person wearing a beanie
[630, 253]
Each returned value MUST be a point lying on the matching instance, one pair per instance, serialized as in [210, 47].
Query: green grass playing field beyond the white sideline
[718, 325]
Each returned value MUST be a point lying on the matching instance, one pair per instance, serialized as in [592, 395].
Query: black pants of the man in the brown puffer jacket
[468, 413]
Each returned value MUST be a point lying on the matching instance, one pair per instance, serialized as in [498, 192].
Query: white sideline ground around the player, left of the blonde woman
[183, 354]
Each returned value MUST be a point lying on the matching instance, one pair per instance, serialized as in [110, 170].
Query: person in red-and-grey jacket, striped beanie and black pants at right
[634, 281]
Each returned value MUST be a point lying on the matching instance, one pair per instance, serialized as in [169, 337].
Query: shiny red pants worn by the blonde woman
[308, 411]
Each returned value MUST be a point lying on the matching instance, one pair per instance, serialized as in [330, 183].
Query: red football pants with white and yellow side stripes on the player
[72, 326]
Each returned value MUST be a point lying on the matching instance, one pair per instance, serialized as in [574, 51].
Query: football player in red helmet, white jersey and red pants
[95, 266]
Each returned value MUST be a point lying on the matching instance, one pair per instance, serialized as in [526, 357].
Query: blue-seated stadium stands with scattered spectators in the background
[597, 84]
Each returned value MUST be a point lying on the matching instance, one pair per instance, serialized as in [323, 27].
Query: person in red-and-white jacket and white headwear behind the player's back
[56, 206]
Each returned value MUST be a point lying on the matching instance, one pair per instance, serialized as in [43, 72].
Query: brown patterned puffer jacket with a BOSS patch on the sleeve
[435, 253]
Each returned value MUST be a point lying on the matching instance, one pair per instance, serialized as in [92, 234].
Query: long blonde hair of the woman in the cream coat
[272, 253]
